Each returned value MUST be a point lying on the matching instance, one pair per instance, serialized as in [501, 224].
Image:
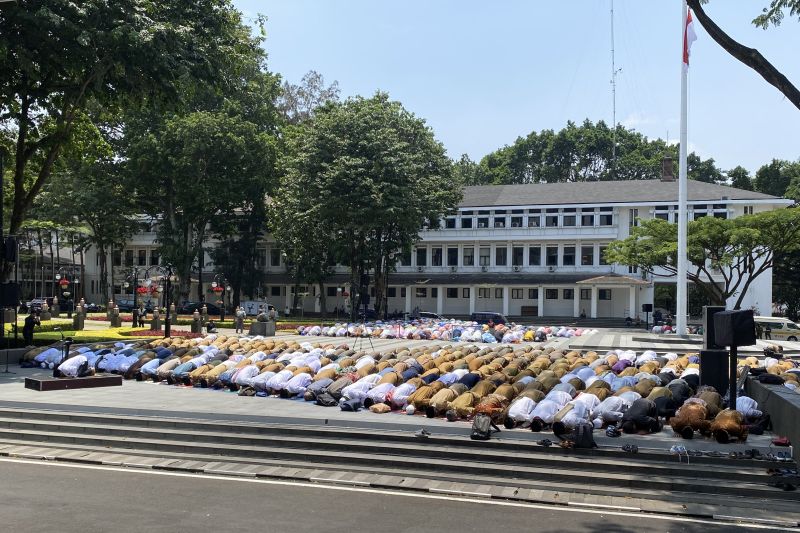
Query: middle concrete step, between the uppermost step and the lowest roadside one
[401, 460]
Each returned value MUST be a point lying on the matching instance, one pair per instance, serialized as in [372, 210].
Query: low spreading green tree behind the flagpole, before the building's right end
[725, 256]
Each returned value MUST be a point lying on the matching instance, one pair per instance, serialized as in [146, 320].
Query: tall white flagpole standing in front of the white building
[680, 311]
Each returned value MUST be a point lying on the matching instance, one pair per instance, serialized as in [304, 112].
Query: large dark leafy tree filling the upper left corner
[59, 57]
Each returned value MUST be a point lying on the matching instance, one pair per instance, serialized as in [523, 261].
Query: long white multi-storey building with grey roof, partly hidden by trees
[522, 250]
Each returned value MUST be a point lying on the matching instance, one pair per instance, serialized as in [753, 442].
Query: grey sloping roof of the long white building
[601, 192]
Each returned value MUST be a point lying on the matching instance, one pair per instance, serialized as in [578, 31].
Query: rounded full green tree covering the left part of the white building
[378, 175]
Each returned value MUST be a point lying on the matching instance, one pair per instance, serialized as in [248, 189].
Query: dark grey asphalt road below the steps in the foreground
[40, 496]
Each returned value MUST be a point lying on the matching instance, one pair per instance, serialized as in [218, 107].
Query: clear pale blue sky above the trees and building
[483, 73]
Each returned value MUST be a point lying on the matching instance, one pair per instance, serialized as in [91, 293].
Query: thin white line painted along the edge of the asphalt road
[421, 495]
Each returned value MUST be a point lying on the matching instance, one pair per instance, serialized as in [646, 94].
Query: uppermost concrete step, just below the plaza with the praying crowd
[527, 454]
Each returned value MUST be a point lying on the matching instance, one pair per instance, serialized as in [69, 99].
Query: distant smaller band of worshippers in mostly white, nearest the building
[445, 330]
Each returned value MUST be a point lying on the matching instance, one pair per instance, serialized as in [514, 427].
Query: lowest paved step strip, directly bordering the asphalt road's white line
[590, 496]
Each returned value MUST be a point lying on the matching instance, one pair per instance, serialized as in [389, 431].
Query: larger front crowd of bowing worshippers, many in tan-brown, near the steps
[523, 386]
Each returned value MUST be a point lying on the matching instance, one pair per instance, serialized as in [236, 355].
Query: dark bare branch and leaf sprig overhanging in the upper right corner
[771, 16]
